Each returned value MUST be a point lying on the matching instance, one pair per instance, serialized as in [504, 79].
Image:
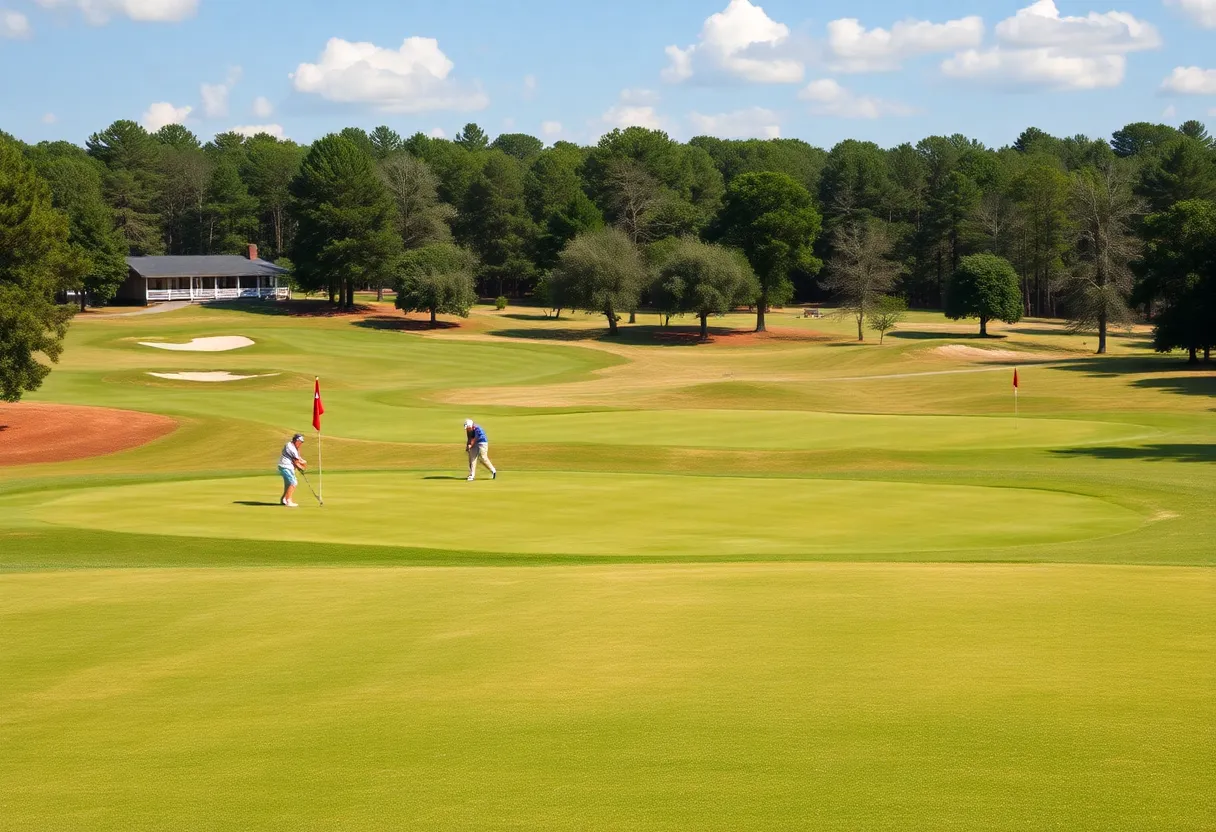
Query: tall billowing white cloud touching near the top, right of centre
[741, 42]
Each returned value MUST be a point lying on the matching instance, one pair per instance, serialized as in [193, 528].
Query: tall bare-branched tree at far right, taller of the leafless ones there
[1104, 209]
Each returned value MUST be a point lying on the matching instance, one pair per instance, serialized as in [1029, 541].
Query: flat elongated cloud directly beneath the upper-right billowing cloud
[1038, 69]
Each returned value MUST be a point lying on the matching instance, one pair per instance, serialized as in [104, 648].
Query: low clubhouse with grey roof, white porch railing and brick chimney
[204, 278]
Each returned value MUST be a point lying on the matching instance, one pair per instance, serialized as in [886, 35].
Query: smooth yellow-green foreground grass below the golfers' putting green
[725, 698]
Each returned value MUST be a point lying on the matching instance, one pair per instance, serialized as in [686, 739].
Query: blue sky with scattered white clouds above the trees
[821, 71]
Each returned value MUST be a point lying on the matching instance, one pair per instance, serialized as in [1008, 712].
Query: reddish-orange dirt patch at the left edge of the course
[58, 434]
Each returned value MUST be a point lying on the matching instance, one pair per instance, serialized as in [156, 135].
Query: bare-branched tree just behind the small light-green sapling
[860, 272]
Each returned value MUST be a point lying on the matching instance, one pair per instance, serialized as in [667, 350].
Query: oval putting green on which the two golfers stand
[627, 515]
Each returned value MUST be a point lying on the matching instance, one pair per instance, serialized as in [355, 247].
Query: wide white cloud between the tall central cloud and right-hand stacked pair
[857, 49]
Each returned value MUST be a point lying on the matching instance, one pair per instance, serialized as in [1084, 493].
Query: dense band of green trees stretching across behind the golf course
[1096, 232]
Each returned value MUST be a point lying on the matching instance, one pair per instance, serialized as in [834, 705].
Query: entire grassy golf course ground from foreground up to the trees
[757, 584]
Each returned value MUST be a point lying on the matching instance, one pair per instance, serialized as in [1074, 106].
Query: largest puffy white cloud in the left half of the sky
[412, 80]
